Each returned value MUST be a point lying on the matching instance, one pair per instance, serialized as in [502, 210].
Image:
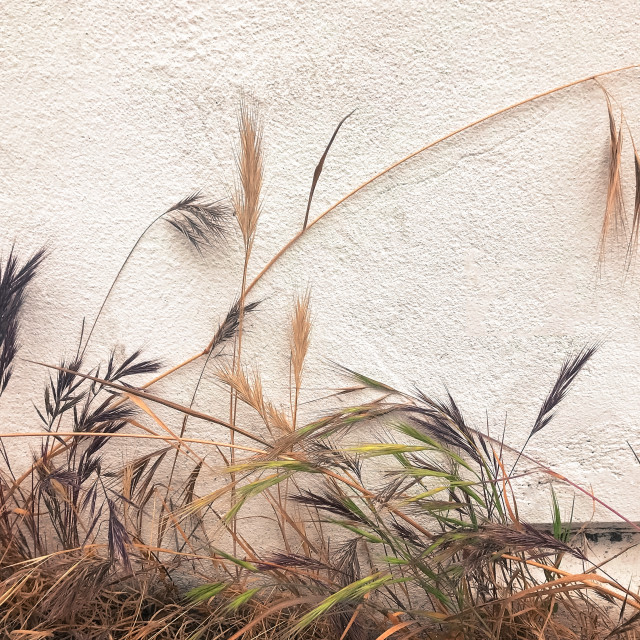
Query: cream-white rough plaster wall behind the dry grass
[473, 265]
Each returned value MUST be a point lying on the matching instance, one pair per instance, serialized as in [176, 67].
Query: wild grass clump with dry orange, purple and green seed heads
[388, 516]
